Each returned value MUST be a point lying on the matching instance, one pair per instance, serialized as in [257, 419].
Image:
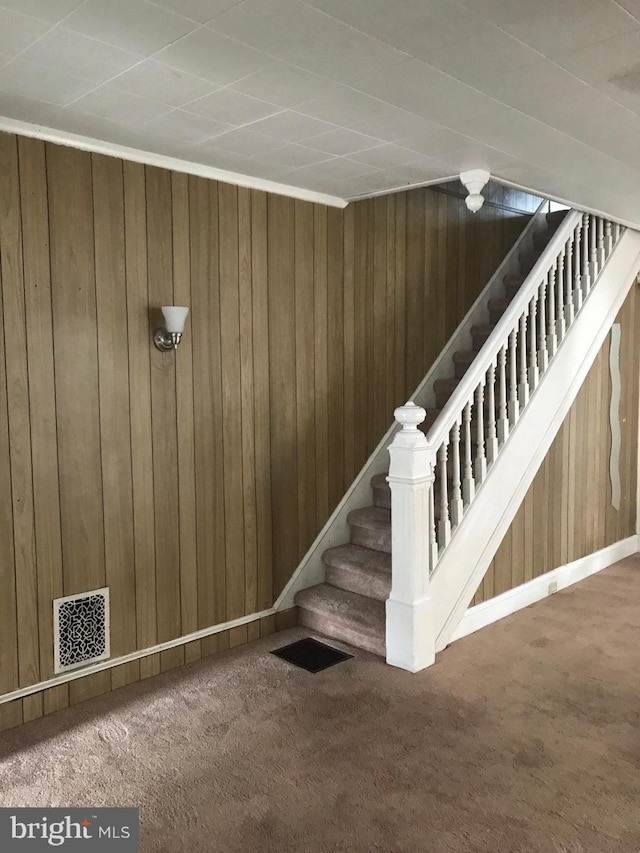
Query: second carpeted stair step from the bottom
[359, 570]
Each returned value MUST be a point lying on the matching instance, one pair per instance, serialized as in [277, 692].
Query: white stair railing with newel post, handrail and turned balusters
[491, 397]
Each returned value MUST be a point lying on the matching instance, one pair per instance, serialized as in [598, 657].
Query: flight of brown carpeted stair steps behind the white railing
[350, 604]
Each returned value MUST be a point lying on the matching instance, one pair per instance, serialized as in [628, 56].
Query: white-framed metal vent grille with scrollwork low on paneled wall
[81, 629]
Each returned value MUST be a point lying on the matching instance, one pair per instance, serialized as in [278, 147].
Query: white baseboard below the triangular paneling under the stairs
[535, 590]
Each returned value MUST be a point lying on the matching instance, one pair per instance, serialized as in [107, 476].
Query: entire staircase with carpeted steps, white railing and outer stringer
[491, 405]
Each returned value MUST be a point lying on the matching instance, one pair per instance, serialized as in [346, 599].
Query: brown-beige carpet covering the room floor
[524, 737]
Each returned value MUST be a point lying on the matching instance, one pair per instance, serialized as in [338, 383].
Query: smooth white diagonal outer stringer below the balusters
[474, 543]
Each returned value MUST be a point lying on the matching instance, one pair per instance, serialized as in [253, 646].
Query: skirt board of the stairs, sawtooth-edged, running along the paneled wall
[311, 570]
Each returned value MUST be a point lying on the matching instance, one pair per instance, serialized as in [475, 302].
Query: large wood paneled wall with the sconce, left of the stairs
[192, 483]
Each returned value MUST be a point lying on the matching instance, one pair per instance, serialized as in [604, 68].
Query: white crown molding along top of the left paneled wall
[149, 158]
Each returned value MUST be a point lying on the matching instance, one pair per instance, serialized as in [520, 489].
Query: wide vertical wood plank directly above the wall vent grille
[76, 367]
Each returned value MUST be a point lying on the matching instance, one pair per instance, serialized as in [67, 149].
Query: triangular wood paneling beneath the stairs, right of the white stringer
[567, 511]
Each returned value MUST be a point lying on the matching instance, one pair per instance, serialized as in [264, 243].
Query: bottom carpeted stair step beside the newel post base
[346, 616]
